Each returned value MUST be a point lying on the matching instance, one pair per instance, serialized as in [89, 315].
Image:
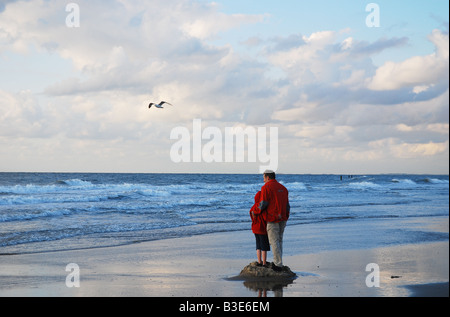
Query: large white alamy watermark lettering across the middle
[225, 146]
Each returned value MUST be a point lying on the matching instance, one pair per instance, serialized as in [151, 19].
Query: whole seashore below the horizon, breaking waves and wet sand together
[180, 235]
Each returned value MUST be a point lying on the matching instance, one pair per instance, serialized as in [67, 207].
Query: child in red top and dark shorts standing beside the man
[259, 229]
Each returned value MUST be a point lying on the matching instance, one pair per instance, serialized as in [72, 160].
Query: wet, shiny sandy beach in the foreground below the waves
[201, 266]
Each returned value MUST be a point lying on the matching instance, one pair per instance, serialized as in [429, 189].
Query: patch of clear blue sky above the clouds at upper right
[412, 19]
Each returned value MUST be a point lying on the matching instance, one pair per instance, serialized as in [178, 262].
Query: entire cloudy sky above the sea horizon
[349, 90]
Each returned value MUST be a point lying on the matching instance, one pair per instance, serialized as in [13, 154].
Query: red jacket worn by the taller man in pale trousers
[274, 201]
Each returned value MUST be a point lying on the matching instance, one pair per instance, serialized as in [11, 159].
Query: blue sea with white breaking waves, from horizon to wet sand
[44, 212]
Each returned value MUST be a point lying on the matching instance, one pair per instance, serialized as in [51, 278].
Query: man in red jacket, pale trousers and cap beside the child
[274, 203]
